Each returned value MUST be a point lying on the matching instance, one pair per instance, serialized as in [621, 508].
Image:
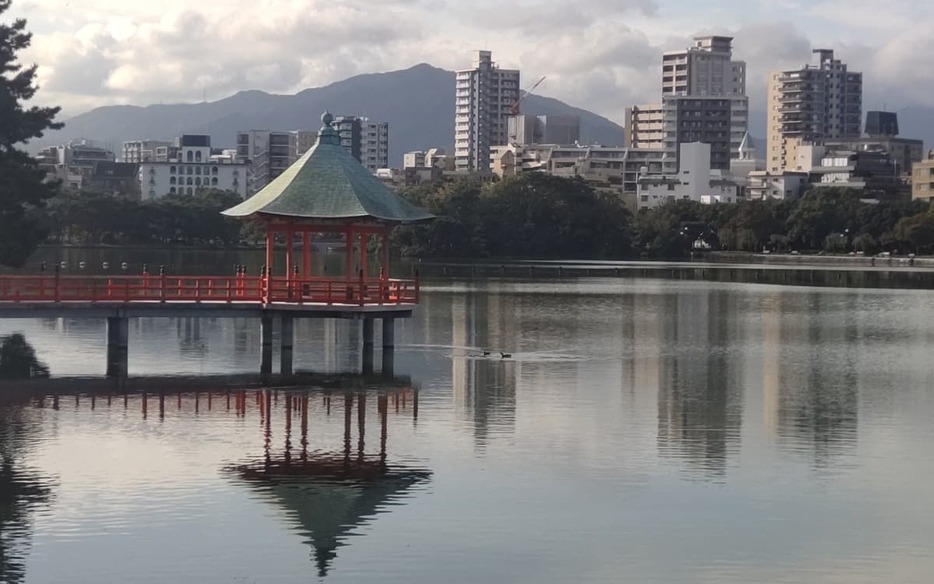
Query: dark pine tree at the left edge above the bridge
[23, 189]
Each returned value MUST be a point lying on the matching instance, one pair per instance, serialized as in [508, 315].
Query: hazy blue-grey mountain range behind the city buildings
[417, 102]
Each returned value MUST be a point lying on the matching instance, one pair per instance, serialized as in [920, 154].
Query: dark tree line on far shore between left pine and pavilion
[93, 218]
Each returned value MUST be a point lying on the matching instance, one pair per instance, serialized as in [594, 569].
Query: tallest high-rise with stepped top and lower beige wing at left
[703, 100]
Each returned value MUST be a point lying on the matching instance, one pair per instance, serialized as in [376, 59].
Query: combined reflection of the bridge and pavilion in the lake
[327, 490]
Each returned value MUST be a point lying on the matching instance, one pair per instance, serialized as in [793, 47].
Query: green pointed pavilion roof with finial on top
[329, 183]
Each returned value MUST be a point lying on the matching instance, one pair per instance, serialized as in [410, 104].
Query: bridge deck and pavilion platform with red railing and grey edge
[95, 296]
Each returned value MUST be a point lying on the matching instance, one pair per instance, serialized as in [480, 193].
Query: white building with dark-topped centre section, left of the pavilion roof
[194, 169]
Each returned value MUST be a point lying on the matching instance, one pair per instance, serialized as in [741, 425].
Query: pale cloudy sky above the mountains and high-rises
[602, 55]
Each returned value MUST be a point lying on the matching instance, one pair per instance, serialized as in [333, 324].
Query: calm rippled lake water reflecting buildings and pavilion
[642, 431]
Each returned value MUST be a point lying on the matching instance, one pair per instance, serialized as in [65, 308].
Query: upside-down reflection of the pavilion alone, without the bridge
[329, 491]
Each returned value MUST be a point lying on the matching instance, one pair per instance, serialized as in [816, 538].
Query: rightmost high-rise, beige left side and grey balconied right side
[809, 106]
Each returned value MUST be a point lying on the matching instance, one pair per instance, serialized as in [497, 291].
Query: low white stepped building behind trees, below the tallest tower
[695, 181]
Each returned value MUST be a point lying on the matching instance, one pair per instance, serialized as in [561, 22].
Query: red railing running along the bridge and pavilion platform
[158, 288]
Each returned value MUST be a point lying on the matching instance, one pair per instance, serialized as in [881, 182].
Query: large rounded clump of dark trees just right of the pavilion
[533, 215]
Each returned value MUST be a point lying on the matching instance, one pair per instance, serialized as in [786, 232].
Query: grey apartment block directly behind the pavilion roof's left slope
[269, 153]
